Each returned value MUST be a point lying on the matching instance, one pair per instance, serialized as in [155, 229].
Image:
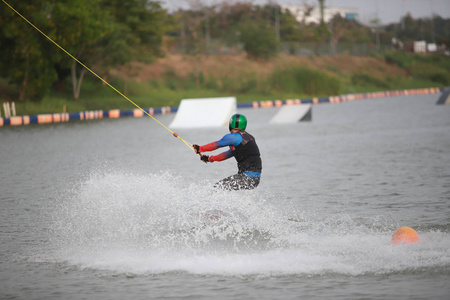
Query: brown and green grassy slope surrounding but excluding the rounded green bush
[175, 77]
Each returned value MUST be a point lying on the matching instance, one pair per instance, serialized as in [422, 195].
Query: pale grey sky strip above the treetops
[388, 11]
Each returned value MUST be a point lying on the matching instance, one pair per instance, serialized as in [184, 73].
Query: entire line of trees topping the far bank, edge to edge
[104, 34]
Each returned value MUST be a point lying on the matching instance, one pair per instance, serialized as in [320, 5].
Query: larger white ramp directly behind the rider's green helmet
[204, 112]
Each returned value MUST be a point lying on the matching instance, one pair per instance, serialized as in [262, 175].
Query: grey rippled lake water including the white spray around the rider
[120, 209]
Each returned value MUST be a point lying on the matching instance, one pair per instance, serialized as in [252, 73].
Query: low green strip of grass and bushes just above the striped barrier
[246, 87]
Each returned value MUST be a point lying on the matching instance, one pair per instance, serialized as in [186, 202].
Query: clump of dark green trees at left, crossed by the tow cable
[99, 33]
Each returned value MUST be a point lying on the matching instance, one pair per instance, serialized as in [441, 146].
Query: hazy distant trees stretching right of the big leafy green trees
[262, 31]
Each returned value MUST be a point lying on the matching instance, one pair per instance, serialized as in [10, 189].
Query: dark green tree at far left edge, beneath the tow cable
[25, 59]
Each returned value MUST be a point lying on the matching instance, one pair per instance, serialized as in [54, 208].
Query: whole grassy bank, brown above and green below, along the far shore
[175, 77]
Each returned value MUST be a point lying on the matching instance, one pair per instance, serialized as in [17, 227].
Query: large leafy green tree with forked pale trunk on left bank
[104, 34]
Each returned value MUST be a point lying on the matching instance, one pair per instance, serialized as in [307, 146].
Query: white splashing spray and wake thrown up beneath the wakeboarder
[161, 223]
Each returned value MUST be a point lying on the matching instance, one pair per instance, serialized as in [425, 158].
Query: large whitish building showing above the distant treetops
[300, 13]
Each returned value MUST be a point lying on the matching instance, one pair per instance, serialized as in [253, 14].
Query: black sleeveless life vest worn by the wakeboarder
[247, 154]
